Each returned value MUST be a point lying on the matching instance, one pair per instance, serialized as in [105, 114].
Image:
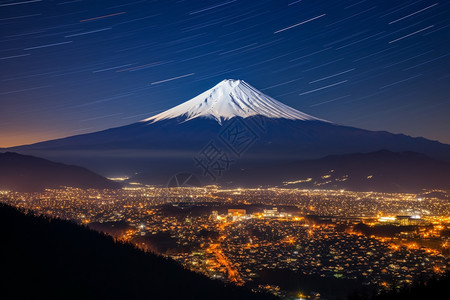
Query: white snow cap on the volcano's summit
[231, 98]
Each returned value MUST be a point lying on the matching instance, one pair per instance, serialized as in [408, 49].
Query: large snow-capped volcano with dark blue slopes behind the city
[230, 127]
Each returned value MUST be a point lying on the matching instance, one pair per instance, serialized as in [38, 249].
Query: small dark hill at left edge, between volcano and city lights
[28, 173]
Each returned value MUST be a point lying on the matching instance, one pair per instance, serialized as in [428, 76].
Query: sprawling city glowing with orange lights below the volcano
[246, 236]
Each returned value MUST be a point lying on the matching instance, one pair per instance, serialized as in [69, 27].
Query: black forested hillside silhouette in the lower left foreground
[49, 258]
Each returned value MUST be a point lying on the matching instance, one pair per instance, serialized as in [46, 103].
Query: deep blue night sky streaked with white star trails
[72, 67]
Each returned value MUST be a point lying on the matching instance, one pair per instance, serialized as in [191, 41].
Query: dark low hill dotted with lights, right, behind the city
[383, 171]
